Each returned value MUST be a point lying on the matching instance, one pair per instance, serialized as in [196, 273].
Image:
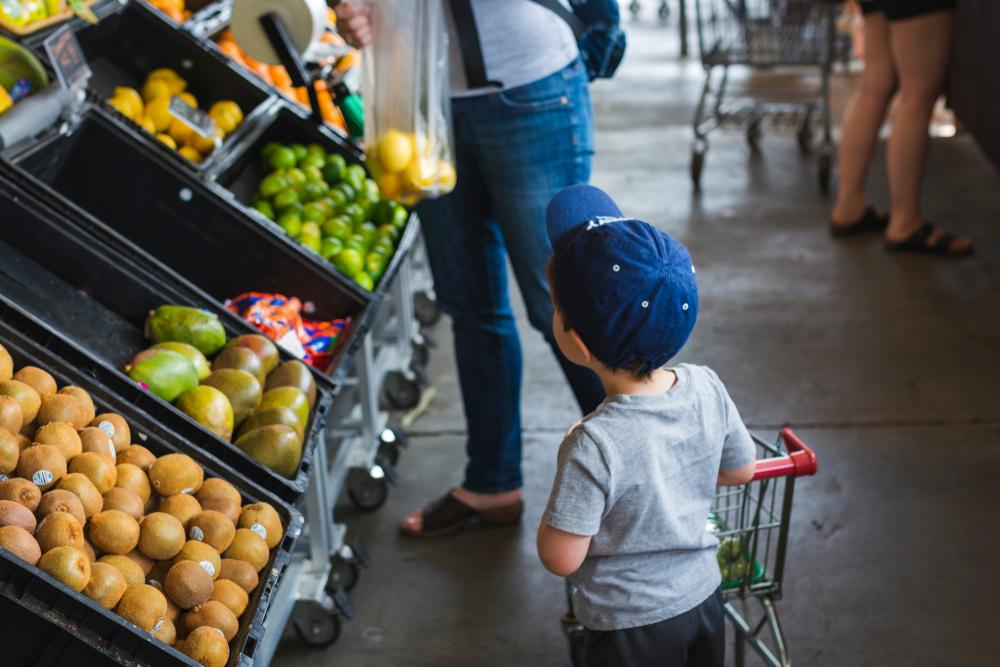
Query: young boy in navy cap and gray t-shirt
[635, 479]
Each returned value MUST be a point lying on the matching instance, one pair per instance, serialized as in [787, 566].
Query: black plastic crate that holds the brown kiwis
[47, 623]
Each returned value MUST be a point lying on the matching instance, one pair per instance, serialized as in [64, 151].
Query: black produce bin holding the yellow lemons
[130, 43]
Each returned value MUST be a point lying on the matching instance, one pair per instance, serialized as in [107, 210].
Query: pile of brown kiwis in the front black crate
[149, 537]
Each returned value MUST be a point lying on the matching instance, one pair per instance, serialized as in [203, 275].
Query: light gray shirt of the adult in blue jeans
[521, 41]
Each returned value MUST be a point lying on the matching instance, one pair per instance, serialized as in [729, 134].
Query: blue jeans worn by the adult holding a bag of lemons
[515, 150]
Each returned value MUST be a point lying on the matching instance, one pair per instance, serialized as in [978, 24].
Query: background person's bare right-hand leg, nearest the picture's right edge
[920, 49]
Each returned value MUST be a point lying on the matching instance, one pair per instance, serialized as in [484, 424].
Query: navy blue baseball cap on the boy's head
[628, 289]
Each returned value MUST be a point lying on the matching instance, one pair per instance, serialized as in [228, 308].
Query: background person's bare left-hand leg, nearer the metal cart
[863, 120]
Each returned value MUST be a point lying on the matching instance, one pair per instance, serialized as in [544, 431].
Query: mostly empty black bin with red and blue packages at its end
[141, 205]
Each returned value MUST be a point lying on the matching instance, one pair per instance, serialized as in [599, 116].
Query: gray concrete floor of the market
[887, 365]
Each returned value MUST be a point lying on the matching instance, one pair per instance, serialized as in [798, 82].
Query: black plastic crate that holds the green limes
[240, 173]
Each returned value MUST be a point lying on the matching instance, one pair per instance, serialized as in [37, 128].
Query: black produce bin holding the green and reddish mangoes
[99, 298]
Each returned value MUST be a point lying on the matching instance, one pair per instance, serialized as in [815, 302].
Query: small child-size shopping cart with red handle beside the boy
[751, 522]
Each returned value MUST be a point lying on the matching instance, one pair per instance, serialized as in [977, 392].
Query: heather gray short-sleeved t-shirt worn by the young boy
[639, 475]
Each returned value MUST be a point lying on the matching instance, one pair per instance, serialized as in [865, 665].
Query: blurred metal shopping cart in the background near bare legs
[765, 34]
